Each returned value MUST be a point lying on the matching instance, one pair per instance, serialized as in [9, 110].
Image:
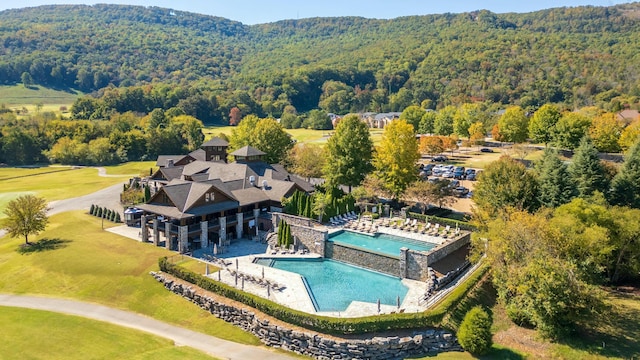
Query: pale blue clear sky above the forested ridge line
[263, 11]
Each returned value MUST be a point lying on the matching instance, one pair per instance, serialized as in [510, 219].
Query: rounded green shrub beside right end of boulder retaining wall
[475, 331]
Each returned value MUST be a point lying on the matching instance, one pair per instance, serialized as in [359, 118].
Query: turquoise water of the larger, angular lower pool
[334, 285]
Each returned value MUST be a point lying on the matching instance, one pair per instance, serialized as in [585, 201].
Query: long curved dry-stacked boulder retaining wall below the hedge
[319, 346]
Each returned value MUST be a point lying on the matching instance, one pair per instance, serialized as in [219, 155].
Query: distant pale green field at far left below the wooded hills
[17, 96]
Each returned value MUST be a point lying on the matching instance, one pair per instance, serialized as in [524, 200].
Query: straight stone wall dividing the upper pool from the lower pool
[369, 260]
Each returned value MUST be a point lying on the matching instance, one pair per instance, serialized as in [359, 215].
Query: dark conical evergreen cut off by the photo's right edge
[625, 187]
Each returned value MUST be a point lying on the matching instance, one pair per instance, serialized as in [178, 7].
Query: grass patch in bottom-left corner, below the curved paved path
[35, 334]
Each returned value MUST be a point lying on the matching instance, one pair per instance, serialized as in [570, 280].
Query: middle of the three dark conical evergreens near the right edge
[587, 173]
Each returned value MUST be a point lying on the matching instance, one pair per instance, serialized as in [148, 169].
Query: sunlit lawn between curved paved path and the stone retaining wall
[97, 266]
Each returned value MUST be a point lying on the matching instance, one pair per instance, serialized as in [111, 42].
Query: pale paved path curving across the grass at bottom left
[219, 348]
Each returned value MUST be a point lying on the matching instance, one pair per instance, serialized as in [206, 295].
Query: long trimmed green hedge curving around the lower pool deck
[324, 324]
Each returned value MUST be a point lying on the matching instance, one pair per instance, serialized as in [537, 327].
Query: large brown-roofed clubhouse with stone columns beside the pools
[199, 202]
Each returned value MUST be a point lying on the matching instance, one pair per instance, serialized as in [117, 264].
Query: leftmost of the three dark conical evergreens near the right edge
[556, 187]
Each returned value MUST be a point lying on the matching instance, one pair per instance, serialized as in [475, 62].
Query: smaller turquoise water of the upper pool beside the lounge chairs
[381, 243]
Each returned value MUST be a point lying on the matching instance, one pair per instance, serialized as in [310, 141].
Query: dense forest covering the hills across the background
[573, 57]
